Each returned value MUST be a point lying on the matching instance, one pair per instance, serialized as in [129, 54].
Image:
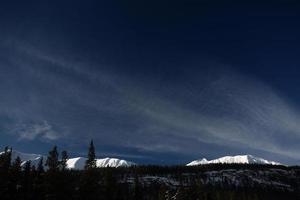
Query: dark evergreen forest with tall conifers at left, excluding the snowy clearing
[51, 180]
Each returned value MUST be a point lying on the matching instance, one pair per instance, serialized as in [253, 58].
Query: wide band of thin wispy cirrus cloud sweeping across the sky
[218, 107]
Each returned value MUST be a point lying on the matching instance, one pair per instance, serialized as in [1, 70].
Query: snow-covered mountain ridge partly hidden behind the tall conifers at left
[72, 163]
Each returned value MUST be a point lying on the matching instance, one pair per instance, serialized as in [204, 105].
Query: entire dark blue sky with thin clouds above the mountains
[151, 81]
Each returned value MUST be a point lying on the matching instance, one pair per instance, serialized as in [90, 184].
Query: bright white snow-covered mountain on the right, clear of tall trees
[239, 159]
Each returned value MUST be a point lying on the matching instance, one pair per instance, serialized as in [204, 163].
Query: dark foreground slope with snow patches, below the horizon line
[207, 182]
